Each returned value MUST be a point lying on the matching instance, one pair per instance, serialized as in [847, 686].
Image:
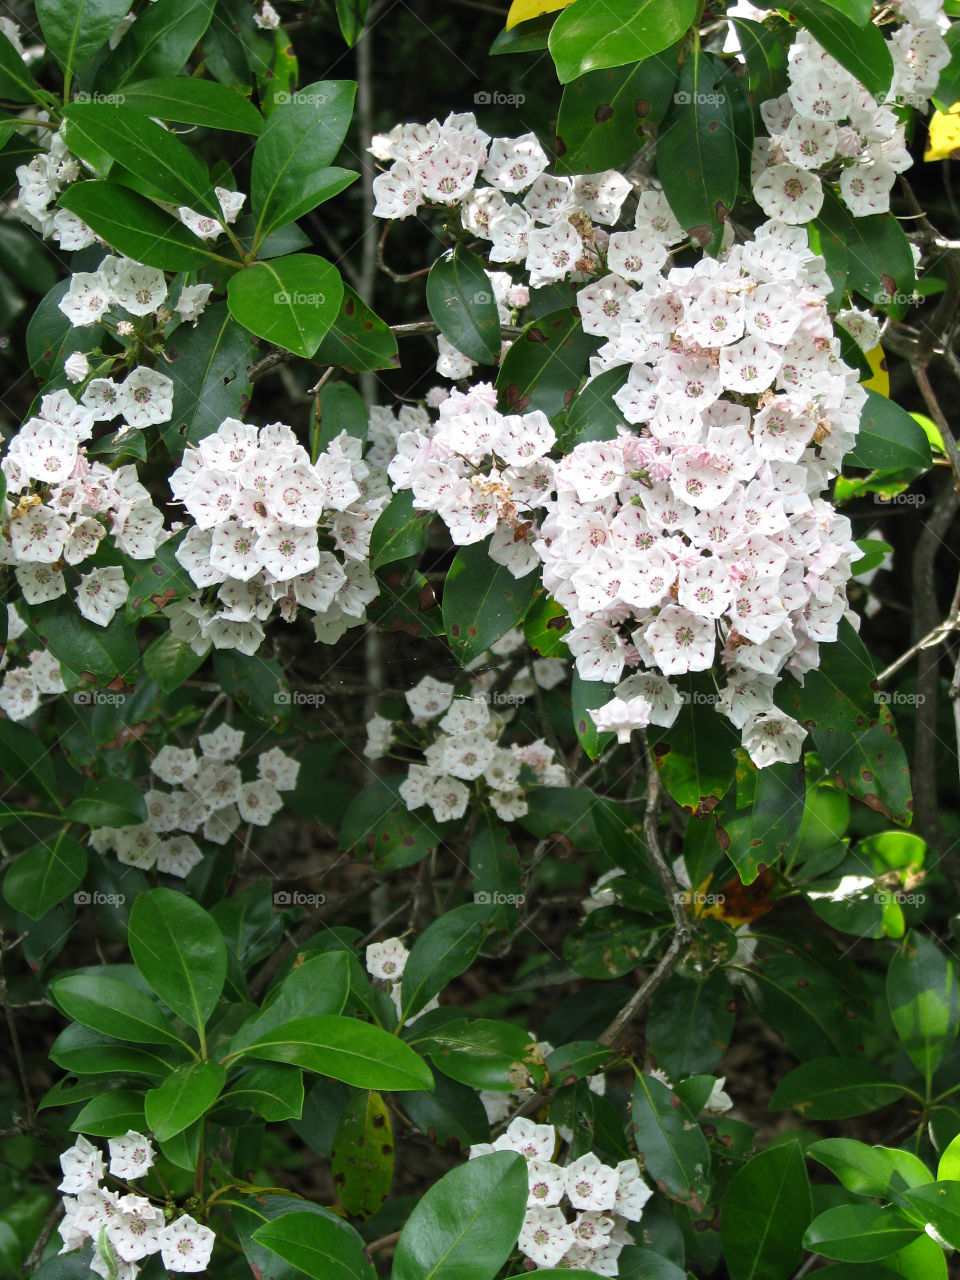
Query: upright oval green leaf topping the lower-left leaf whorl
[180, 952]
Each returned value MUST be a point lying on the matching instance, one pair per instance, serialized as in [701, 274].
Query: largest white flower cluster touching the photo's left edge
[67, 506]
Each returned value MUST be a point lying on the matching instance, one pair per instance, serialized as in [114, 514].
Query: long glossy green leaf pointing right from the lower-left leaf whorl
[348, 1050]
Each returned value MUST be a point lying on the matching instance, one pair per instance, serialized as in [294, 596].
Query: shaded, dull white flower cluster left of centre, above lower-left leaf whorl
[209, 796]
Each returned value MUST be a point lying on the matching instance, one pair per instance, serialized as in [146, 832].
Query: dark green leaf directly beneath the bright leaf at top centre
[604, 115]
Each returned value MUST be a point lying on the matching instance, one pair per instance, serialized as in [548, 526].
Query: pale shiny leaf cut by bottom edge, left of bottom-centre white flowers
[467, 1226]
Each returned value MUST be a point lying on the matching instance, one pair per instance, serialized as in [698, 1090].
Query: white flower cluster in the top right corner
[828, 127]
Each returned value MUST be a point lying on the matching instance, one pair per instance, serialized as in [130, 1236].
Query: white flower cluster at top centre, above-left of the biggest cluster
[551, 231]
